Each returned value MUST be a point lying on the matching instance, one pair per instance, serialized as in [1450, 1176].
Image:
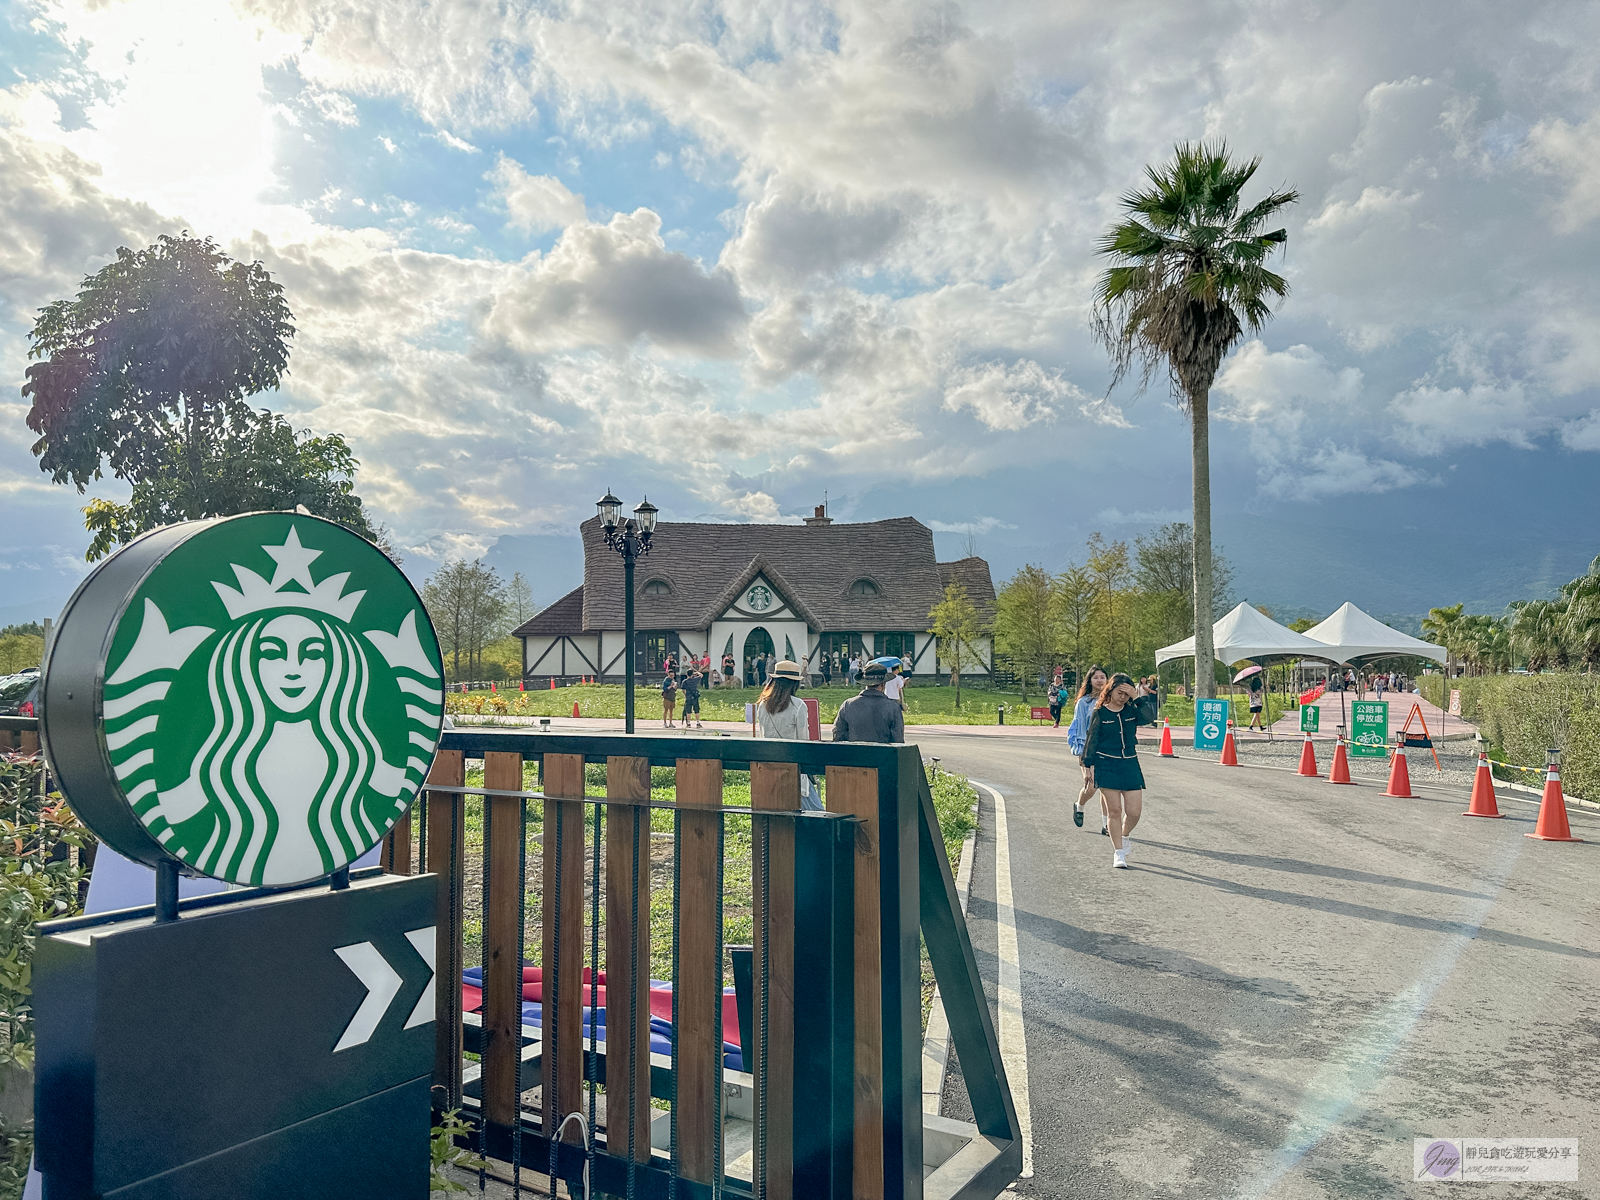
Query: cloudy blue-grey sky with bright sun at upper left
[738, 255]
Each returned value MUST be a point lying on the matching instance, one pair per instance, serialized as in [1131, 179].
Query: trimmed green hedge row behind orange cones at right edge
[1527, 714]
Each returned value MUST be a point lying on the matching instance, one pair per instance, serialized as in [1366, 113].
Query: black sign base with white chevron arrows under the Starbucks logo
[278, 1046]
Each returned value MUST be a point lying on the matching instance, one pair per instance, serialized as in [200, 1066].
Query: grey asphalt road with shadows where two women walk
[1292, 983]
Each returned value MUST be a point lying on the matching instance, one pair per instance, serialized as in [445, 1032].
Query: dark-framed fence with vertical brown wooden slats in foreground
[831, 1098]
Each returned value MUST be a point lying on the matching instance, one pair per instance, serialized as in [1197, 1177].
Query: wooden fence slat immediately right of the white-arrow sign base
[446, 849]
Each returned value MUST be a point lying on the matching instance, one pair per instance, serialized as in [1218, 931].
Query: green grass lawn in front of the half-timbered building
[926, 705]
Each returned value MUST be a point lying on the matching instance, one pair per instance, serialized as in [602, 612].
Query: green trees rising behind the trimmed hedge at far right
[1556, 634]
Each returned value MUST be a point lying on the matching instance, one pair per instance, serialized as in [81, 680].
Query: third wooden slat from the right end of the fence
[698, 983]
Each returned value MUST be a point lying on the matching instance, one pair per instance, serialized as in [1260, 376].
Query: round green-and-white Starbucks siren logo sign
[257, 698]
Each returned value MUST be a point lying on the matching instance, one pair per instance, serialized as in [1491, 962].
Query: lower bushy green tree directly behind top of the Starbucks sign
[258, 462]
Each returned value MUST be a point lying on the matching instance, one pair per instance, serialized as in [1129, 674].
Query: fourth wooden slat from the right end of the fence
[628, 959]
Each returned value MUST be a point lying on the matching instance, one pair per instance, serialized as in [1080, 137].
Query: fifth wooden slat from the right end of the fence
[562, 1007]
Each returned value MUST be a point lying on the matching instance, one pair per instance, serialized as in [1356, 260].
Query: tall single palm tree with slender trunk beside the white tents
[1188, 279]
